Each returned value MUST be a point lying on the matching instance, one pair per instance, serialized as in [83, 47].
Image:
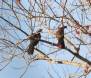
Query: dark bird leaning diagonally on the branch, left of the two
[34, 39]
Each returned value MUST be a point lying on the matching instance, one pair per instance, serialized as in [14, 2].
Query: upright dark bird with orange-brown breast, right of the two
[60, 37]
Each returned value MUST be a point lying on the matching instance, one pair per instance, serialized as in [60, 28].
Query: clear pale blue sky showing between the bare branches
[41, 68]
